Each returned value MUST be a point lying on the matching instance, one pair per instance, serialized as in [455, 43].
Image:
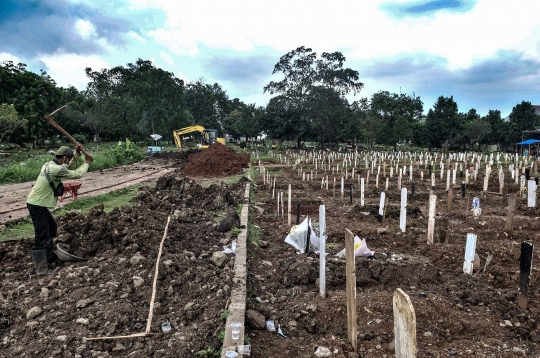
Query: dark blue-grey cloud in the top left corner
[47, 26]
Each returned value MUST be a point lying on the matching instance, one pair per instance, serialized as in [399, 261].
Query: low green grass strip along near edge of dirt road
[23, 228]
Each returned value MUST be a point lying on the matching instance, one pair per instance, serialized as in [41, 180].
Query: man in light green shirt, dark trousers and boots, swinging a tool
[44, 196]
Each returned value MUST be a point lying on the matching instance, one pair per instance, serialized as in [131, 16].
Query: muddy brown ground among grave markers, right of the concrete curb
[457, 314]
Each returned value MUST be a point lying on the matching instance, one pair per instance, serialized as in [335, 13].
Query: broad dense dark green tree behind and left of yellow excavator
[139, 98]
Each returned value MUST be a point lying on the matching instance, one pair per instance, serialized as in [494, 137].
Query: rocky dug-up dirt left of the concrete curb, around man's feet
[109, 294]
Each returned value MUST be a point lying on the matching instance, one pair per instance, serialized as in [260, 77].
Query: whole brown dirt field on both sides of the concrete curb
[109, 294]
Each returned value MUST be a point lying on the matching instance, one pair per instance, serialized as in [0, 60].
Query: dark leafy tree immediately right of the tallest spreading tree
[396, 115]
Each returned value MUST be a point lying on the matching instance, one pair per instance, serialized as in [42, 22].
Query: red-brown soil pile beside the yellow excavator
[216, 161]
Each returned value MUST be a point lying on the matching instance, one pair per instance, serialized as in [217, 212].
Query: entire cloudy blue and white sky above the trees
[484, 53]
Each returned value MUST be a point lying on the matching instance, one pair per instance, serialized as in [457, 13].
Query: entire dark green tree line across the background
[309, 103]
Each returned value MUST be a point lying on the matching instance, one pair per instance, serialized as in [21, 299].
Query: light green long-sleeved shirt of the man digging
[42, 193]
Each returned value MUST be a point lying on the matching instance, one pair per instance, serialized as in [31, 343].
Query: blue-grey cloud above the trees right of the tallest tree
[493, 83]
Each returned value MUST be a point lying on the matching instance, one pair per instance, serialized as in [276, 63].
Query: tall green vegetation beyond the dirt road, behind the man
[116, 154]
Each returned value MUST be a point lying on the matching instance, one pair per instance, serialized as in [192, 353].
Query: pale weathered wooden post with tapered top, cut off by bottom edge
[404, 325]
